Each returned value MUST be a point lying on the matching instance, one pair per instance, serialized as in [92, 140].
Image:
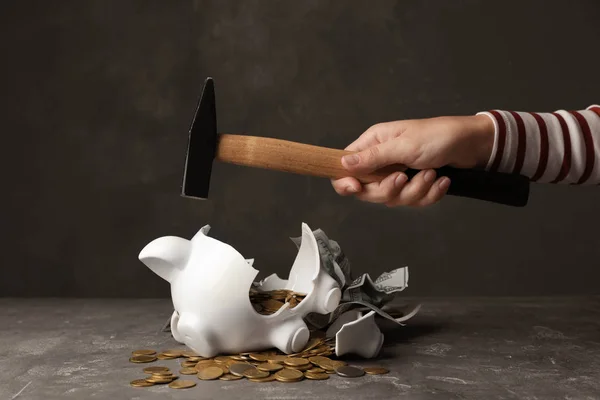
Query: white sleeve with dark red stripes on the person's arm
[557, 147]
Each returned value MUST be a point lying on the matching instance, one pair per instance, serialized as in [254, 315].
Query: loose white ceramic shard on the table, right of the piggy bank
[361, 337]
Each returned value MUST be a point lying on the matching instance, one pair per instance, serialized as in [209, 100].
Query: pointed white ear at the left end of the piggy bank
[166, 256]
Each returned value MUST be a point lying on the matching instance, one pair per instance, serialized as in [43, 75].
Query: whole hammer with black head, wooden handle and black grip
[205, 145]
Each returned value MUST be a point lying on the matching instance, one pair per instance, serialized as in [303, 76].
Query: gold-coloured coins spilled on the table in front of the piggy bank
[267, 366]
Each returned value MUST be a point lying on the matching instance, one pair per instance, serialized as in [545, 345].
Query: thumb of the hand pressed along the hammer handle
[375, 157]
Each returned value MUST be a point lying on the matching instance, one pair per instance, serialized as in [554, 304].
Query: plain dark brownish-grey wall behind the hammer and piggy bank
[97, 97]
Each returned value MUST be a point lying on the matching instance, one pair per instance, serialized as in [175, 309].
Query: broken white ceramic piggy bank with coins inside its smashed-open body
[210, 282]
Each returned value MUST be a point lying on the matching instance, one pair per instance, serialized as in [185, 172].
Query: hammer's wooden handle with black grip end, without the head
[305, 159]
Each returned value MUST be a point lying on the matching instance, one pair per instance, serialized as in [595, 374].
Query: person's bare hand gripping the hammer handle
[461, 142]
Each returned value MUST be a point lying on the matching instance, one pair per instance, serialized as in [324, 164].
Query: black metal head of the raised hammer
[202, 145]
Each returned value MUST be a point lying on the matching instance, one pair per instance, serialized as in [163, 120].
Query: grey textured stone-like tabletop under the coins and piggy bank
[454, 349]
